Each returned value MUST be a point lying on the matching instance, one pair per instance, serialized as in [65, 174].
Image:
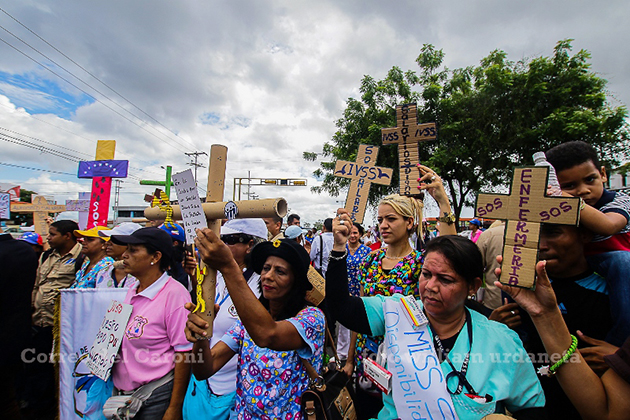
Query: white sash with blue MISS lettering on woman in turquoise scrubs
[418, 384]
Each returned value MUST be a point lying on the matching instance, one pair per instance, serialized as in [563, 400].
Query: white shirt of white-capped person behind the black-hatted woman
[224, 381]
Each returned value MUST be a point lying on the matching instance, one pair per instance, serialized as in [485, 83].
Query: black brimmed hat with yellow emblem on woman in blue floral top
[287, 249]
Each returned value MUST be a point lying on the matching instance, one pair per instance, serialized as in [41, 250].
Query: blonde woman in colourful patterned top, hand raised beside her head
[394, 268]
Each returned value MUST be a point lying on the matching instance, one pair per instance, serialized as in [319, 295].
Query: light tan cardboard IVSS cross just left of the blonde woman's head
[362, 173]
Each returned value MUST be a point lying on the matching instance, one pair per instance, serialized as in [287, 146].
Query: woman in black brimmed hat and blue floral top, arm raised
[274, 333]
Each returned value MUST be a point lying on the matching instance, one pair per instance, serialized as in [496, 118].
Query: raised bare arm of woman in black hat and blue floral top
[262, 328]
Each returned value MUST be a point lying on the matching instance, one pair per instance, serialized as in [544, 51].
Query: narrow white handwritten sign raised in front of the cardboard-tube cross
[190, 204]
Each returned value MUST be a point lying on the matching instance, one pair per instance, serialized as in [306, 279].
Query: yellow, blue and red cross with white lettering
[102, 170]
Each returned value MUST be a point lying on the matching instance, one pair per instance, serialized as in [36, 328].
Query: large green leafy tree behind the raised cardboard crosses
[490, 118]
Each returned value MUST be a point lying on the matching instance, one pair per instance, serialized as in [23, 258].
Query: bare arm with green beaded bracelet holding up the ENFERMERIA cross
[594, 398]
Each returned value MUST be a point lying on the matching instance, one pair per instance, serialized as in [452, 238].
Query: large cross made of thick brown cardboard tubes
[215, 209]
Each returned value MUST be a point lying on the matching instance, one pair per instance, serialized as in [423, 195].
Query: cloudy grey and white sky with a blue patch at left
[268, 79]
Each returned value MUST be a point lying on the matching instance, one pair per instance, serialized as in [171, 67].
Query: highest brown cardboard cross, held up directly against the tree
[408, 134]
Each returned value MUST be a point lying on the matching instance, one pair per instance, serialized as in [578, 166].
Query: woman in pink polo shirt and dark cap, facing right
[153, 353]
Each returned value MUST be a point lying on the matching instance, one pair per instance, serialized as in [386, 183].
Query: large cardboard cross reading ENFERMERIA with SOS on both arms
[525, 208]
